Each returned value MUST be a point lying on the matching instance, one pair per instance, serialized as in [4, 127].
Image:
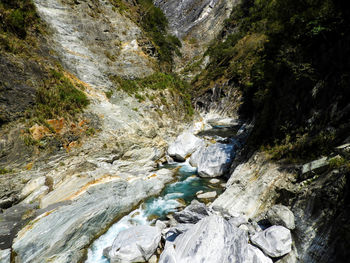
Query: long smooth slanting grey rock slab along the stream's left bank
[63, 233]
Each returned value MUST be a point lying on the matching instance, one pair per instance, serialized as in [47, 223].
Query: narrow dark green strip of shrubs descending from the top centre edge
[154, 23]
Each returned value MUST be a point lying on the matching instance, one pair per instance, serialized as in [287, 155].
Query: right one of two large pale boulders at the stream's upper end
[213, 160]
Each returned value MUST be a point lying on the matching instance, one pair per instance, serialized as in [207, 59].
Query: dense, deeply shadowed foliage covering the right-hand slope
[290, 58]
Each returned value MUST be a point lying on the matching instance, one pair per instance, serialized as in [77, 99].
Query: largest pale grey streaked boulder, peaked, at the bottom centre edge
[212, 239]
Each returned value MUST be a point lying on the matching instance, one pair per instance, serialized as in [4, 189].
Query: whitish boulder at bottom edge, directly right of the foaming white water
[136, 244]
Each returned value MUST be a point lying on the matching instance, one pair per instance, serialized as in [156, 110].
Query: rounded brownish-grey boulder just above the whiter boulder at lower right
[281, 215]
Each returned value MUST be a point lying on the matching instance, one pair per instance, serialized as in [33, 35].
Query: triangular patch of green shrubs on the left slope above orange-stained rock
[57, 97]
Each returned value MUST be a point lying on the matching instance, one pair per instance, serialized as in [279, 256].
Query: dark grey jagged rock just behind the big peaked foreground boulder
[192, 213]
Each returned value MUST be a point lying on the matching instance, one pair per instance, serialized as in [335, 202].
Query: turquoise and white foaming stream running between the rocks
[173, 197]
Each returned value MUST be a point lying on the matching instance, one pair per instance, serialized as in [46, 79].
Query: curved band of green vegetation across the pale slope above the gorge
[158, 81]
